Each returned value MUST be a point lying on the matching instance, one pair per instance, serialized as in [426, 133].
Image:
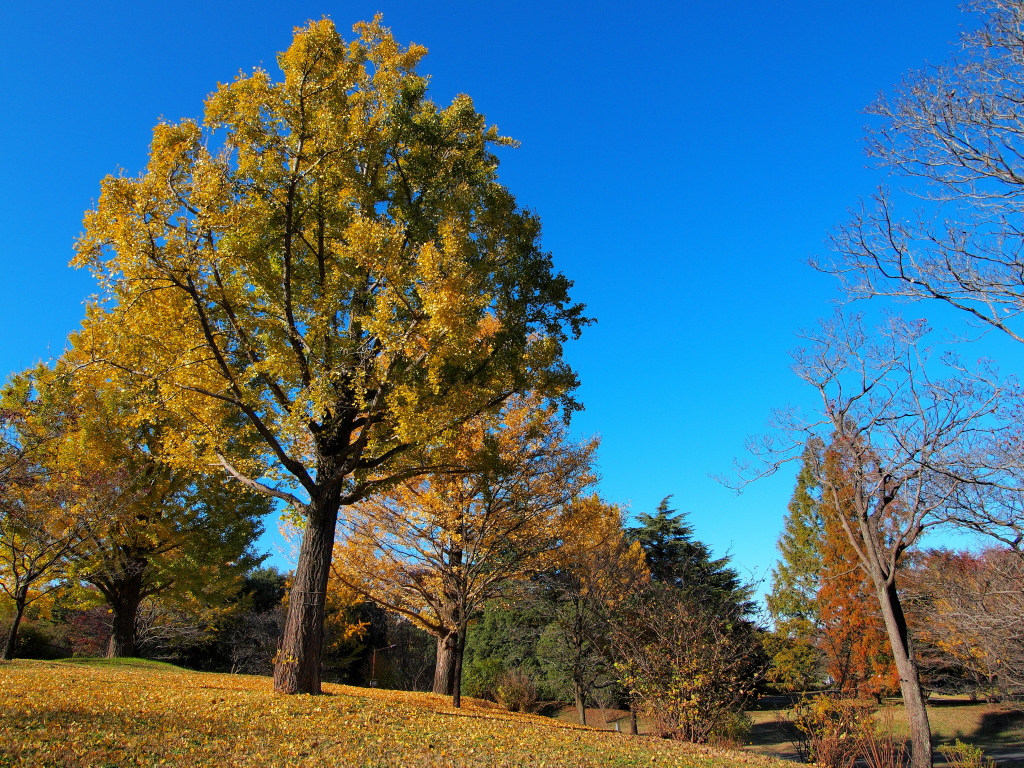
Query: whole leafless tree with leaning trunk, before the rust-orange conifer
[911, 443]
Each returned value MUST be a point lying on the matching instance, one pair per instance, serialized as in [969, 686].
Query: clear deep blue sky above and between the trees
[687, 160]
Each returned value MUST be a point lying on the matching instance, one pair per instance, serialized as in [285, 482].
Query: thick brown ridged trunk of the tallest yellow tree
[297, 665]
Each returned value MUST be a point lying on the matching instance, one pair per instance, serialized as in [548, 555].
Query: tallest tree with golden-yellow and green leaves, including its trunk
[329, 265]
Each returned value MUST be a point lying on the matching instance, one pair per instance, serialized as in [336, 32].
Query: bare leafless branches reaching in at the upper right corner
[956, 135]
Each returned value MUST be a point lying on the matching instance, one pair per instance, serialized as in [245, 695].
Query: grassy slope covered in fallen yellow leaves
[137, 713]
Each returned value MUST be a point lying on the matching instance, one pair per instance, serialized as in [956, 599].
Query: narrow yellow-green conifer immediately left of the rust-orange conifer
[796, 581]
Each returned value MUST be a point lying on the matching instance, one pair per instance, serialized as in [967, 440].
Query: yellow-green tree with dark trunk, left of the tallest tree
[158, 530]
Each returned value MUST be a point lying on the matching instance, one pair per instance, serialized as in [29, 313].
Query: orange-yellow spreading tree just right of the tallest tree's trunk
[437, 548]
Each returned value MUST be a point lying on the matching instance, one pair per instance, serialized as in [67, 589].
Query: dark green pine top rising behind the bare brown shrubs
[676, 560]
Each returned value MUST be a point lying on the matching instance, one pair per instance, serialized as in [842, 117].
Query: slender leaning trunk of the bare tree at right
[910, 680]
